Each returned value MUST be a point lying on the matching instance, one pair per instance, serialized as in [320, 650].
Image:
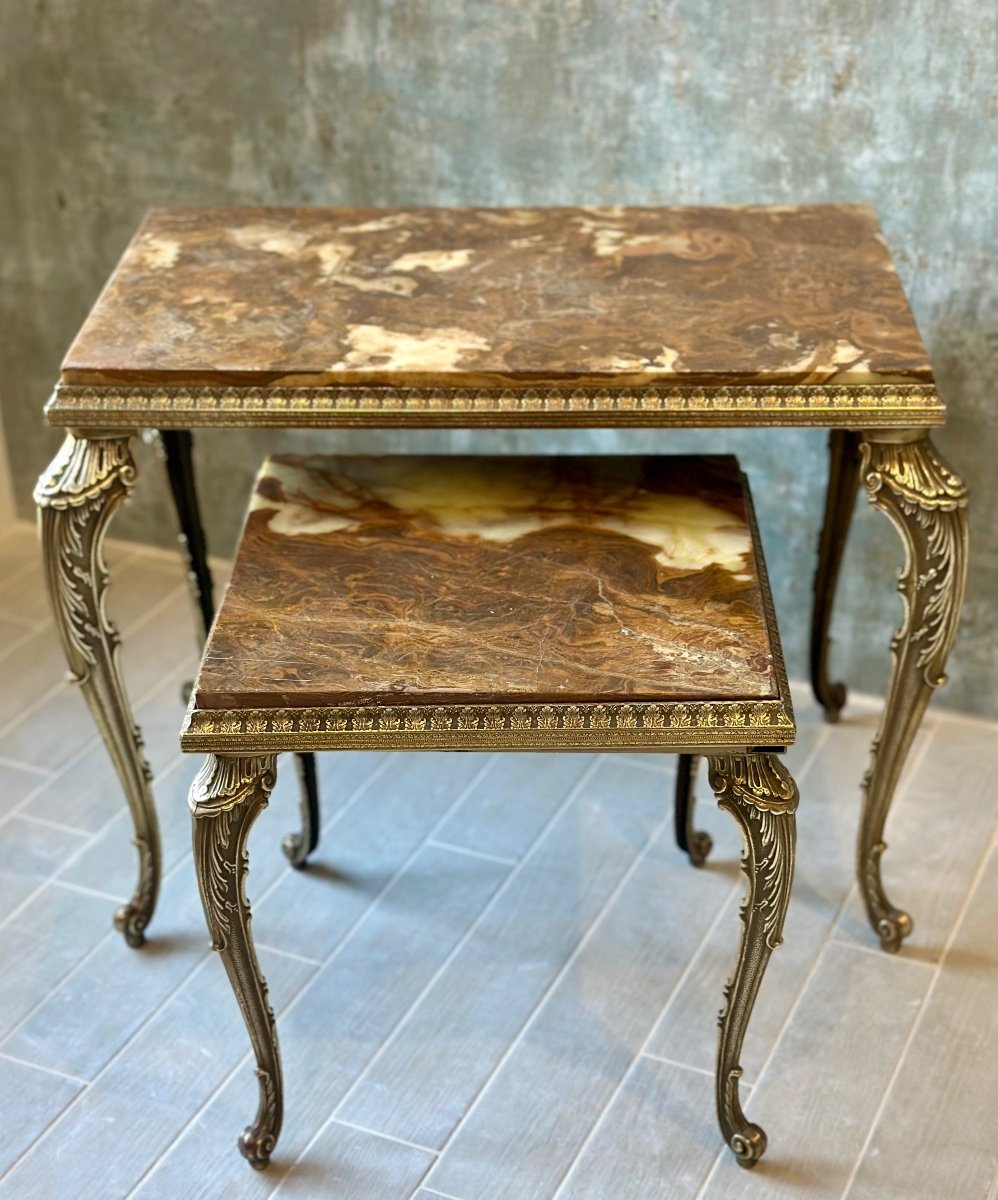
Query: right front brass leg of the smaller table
[762, 797]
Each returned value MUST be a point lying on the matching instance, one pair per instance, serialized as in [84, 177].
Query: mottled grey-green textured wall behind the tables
[111, 107]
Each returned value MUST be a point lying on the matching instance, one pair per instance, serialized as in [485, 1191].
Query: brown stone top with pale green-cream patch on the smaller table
[468, 580]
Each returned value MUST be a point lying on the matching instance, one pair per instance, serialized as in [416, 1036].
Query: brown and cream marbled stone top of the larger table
[459, 298]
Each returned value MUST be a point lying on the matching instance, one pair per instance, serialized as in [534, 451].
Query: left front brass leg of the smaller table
[227, 796]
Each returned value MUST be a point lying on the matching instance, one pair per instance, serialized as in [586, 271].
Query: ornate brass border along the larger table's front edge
[86, 406]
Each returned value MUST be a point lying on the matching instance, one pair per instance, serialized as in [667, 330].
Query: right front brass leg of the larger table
[906, 479]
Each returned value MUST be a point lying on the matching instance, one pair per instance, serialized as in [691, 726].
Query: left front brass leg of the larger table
[87, 482]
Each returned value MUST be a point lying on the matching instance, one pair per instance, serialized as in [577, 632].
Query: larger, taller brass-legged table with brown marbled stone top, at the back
[659, 317]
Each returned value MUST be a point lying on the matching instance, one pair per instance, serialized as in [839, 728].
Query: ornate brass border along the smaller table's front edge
[587, 727]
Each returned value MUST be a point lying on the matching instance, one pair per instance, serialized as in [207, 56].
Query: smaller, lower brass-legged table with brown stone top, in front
[495, 604]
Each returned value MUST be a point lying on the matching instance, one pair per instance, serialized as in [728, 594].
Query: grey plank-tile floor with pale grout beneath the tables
[500, 979]
